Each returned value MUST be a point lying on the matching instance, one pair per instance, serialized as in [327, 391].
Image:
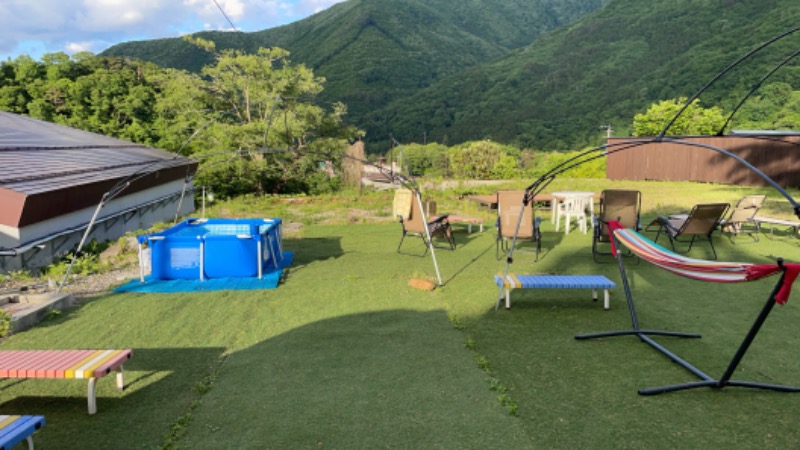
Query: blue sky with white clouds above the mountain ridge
[36, 27]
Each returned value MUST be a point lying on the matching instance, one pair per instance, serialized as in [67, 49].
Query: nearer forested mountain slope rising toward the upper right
[604, 69]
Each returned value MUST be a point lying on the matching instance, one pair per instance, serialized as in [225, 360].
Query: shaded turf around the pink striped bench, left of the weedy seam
[160, 386]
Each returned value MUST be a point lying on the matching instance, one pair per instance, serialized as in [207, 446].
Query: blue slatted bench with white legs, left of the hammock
[593, 282]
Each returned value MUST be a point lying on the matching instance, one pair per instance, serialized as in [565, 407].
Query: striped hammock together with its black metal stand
[703, 270]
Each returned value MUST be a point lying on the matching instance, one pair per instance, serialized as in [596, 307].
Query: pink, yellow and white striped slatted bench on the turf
[79, 364]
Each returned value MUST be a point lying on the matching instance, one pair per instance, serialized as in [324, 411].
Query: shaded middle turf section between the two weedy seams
[384, 379]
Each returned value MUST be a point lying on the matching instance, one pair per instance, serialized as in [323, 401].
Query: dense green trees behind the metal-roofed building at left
[250, 119]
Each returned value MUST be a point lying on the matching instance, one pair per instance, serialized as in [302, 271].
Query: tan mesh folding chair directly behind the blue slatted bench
[509, 205]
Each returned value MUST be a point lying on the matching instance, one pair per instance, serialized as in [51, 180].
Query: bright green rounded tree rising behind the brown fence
[695, 120]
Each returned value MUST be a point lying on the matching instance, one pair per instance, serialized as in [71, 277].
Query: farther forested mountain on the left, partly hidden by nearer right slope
[373, 52]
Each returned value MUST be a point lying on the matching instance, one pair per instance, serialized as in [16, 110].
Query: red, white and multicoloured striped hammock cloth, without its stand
[700, 269]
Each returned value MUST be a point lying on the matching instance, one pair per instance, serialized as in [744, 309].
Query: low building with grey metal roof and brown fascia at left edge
[53, 177]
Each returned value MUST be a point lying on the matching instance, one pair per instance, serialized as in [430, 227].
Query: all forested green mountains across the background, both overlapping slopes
[543, 74]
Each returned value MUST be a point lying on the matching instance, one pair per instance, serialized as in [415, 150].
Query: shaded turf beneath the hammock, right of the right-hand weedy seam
[559, 381]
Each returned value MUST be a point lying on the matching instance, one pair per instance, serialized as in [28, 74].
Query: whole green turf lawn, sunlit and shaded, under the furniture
[343, 354]
